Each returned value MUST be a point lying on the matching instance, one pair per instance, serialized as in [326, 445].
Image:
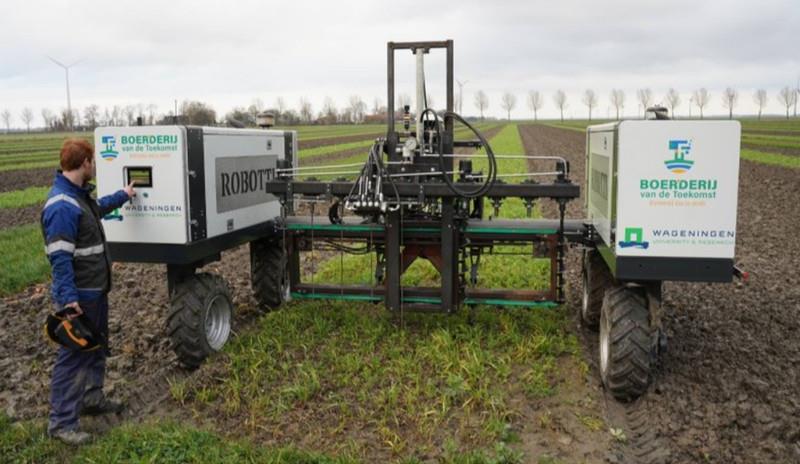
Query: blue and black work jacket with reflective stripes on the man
[75, 242]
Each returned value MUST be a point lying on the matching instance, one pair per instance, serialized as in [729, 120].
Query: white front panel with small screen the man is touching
[155, 157]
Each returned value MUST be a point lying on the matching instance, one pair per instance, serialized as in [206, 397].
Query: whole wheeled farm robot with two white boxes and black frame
[660, 200]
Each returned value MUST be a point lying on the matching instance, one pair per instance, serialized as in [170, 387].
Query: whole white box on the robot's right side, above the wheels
[662, 196]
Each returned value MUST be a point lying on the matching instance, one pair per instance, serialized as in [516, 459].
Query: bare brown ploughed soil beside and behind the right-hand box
[727, 388]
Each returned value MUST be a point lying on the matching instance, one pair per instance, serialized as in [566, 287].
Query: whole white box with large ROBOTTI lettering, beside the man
[195, 185]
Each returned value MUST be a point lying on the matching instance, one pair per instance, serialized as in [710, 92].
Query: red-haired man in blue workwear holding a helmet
[76, 247]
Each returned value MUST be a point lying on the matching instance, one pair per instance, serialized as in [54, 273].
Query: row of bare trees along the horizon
[356, 110]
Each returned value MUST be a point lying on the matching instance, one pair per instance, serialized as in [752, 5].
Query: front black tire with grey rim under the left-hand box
[199, 322]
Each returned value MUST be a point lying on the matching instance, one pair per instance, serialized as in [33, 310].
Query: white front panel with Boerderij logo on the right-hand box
[677, 187]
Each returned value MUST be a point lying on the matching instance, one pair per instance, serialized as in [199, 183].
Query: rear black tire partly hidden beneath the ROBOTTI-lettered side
[268, 274]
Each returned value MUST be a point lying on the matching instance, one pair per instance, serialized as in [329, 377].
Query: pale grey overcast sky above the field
[229, 53]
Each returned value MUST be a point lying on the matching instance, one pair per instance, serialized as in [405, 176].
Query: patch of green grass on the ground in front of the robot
[412, 386]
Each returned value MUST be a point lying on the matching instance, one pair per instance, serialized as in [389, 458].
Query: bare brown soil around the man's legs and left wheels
[140, 348]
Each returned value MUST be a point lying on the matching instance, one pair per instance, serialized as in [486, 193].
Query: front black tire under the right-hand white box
[626, 342]
